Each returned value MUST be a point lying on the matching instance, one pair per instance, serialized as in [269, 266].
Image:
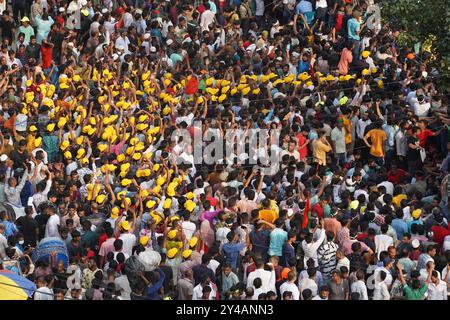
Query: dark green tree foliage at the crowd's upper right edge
[424, 21]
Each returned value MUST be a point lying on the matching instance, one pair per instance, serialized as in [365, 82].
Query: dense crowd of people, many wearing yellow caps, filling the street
[101, 198]
